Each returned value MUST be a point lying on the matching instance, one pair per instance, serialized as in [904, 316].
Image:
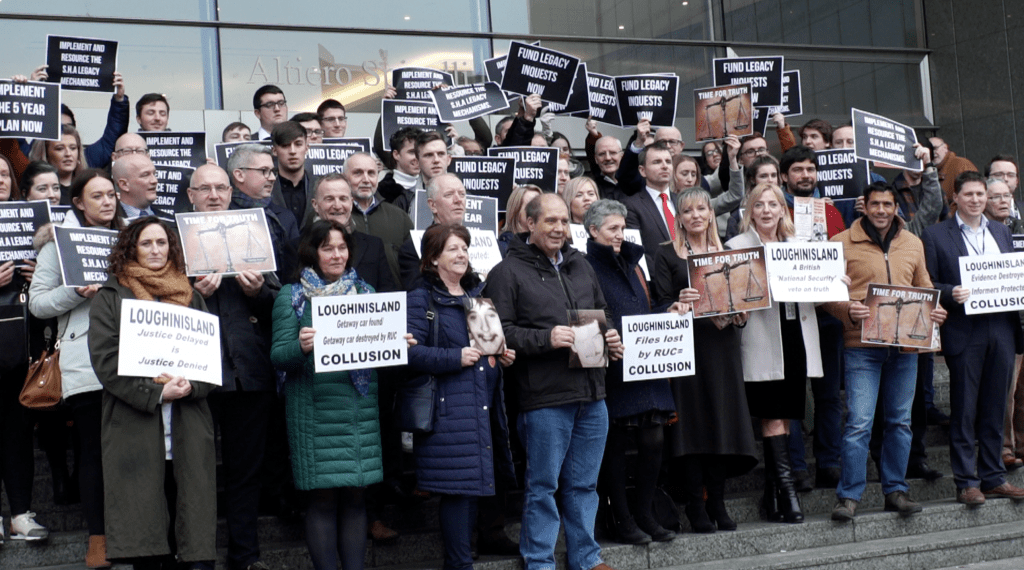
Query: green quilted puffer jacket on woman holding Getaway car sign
[334, 433]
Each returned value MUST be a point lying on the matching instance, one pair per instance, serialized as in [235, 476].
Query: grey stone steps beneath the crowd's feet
[945, 536]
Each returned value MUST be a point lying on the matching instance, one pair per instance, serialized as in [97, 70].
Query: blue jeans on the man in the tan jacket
[872, 373]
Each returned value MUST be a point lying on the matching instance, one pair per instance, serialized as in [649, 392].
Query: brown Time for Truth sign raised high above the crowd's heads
[720, 112]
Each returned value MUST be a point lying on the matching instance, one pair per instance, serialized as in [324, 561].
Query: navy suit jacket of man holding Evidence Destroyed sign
[944, 248]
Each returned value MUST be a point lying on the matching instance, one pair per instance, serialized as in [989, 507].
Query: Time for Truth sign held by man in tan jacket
[901, 317]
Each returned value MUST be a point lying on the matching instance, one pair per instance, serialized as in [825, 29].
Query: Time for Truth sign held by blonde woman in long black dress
[730, 282]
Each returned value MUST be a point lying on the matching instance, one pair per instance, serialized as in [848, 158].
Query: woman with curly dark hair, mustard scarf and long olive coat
[159, 426]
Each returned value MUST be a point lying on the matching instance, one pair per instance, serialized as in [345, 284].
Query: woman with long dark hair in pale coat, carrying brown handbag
[95, 205]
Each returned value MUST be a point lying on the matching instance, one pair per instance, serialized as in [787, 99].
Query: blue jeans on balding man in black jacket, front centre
[565, 446]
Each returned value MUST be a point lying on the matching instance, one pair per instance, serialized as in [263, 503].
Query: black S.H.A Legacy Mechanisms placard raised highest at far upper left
[81, 64]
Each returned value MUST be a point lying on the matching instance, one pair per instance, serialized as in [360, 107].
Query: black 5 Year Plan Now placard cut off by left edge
[30, 110]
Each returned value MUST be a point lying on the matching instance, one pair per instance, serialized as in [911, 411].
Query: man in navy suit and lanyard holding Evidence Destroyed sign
[979, 349]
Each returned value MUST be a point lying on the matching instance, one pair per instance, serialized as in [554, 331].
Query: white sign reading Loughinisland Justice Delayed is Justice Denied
[158, 338]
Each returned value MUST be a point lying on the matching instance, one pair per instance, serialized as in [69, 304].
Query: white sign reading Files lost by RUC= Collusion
[658, 346]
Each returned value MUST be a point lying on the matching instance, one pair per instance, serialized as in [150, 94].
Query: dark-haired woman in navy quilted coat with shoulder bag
[467, 454]
